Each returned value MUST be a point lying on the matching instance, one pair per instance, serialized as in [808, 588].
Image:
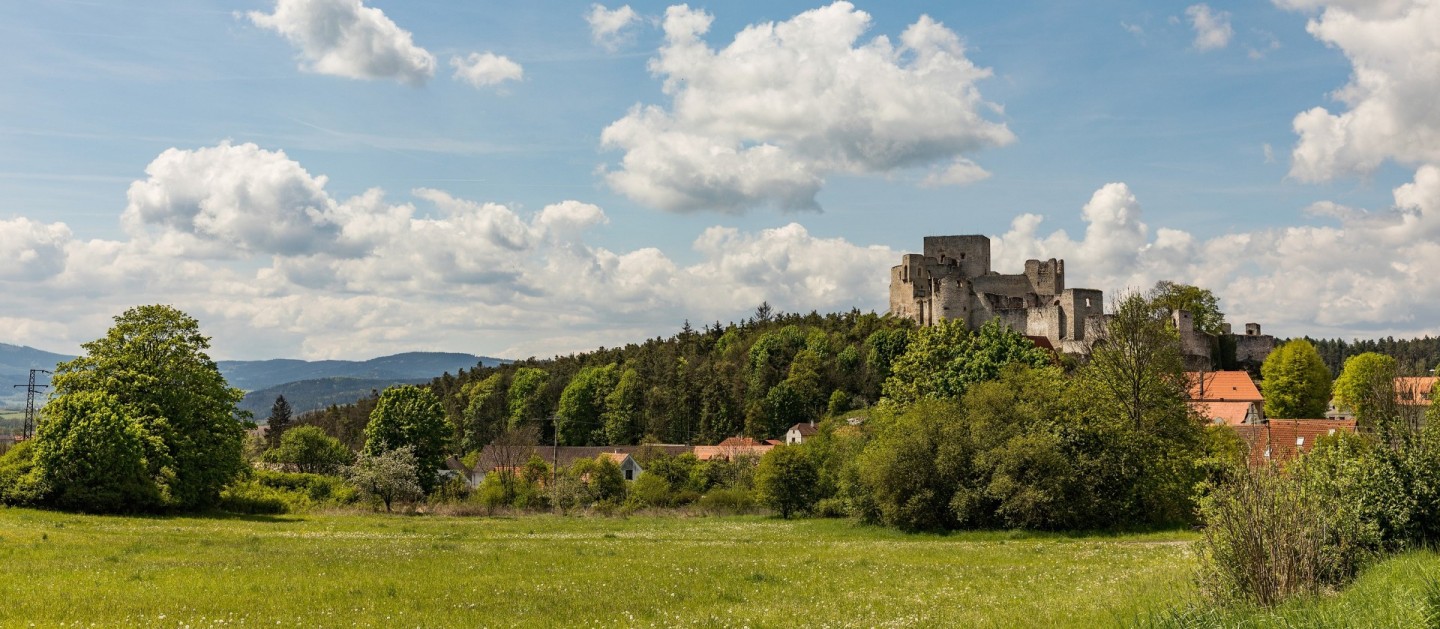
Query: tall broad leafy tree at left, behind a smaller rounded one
[158, 391]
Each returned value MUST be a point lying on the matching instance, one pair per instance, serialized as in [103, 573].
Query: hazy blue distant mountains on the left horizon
[306, 385]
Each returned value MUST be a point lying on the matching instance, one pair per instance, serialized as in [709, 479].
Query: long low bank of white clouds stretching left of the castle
[273, 264]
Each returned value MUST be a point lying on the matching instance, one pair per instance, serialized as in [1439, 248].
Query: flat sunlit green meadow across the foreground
[326, 571]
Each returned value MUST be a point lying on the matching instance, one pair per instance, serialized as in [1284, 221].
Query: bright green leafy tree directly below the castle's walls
[942, 361]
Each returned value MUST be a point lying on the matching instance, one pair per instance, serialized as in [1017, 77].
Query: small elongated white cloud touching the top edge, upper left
[345, 38]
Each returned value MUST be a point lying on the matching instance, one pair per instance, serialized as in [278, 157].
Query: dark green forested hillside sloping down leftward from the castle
[757, 378]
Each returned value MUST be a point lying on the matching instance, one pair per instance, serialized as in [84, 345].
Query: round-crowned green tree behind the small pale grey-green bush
[410, 417]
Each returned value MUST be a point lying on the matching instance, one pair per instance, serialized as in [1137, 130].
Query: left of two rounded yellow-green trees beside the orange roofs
[1297, 382]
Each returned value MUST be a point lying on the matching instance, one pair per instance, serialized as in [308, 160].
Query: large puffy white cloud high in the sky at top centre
[767, 119]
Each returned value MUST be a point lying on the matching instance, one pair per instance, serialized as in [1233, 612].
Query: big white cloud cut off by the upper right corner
[1395, 48]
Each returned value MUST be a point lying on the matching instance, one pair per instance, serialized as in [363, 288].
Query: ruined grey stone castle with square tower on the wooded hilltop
[953, 280]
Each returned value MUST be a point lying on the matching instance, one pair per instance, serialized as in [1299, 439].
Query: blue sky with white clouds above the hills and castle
[342, 179]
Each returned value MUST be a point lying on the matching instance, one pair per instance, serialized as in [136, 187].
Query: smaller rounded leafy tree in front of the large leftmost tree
[91, 456]
